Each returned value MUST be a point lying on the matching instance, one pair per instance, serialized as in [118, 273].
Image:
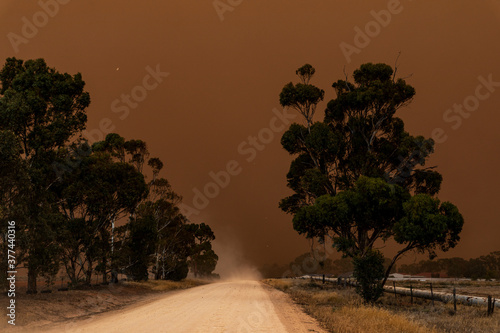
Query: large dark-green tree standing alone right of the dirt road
[359, 177]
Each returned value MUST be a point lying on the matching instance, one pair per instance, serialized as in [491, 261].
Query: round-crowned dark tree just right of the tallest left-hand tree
[101, 190]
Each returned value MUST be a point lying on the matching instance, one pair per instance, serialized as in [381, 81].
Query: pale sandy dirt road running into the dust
[232, 307]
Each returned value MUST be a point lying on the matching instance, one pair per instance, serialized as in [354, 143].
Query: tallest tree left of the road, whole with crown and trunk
[44, 109]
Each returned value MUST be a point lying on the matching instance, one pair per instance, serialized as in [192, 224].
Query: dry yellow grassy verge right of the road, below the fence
[341, 310]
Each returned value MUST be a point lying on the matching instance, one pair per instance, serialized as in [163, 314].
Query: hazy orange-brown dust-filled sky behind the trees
[226, 68]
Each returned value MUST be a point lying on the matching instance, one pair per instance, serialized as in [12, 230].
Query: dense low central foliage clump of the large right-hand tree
[381, 207]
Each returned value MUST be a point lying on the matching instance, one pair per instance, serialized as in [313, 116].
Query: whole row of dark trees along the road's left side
[68, 197]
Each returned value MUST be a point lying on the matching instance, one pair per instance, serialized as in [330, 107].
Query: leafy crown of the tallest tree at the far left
[41, 106]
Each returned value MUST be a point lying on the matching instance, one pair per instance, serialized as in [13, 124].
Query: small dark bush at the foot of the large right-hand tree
[369, 272]
